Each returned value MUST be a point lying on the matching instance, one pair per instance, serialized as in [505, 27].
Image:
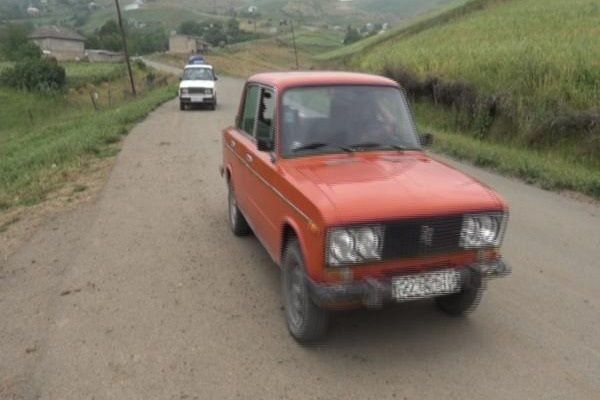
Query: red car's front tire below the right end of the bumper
[466, 300]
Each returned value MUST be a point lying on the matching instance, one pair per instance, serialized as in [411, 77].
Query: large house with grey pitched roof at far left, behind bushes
[60, 43]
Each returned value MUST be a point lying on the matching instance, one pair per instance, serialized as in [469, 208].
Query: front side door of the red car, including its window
[265, 206]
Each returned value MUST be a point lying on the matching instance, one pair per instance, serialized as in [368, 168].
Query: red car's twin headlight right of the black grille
[482, 230]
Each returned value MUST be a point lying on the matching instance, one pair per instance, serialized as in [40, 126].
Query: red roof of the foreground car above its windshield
[285, 80]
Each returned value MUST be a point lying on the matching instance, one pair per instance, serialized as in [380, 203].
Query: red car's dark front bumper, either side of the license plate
[374, 293]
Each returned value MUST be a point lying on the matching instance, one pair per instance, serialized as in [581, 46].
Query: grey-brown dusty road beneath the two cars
[145, 294]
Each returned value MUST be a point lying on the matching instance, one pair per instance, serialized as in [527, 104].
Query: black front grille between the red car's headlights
[421, 237]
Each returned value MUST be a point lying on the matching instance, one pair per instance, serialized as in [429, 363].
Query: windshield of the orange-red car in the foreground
[335, 119]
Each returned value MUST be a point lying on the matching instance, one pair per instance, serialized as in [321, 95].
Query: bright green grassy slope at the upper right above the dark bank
[541, 52]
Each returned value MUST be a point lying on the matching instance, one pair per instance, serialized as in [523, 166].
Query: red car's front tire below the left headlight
[306, 321]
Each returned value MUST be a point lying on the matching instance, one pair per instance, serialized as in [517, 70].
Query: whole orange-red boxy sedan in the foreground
[328, 171]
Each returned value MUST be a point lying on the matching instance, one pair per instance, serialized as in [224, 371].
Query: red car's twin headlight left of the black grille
[354, 245]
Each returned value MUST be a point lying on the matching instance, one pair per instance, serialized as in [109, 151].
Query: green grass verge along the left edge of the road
[35, 161]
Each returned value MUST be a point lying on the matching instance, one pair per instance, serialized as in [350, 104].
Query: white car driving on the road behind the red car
[198, 86]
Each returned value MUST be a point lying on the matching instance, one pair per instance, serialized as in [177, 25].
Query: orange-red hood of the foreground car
[371, 187]
